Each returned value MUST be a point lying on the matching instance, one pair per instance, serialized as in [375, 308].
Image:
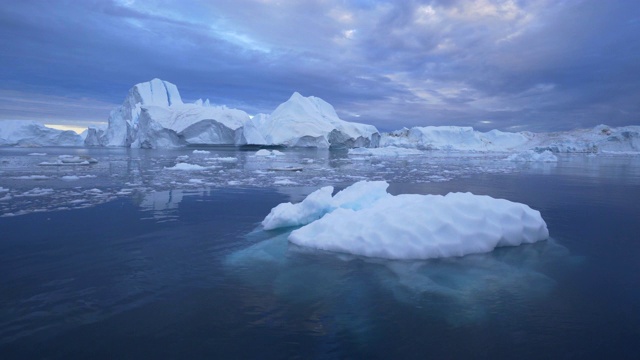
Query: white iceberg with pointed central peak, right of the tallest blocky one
[308, 122]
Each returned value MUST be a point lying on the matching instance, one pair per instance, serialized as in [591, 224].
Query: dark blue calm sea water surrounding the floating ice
[165, 265]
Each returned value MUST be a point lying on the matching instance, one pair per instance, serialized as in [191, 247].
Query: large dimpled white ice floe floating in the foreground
[365, 220]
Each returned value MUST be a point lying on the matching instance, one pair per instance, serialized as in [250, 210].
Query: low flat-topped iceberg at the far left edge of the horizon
[34, 134]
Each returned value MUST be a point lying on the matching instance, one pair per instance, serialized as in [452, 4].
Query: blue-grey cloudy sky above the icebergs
[537, 65]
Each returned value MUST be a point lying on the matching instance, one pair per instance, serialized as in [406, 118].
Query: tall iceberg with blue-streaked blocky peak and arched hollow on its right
[153, 115]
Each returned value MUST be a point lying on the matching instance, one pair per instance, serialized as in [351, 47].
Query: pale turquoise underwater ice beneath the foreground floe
[459, 290]
